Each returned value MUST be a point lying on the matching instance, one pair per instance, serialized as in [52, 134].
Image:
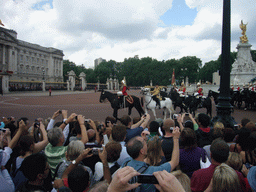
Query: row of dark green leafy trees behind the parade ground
[139, 72]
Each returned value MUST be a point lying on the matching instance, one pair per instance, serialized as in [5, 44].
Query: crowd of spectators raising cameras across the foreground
[73, 153]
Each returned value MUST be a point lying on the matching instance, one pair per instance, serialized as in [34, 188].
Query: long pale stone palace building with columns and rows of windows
[26, 64]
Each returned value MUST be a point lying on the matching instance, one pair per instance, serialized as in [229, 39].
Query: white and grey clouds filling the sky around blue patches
[113, 29]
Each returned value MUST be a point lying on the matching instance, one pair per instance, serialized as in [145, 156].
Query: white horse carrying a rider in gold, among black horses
[151, 104]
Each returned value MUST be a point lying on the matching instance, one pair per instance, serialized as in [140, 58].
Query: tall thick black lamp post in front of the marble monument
[224, 107]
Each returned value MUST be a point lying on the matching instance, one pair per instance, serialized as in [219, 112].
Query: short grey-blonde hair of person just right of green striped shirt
[75, 148]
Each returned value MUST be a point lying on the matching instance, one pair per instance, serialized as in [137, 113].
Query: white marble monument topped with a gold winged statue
[244, 68]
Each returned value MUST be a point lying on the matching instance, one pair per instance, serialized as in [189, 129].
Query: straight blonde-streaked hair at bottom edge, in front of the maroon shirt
[225, 179]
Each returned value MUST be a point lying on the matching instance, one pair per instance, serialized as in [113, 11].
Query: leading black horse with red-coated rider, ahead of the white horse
[115, 103]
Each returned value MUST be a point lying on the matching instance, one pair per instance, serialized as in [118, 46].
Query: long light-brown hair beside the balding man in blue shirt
[154, 150]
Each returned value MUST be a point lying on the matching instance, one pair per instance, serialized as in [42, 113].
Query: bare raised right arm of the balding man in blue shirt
[176, 151]
